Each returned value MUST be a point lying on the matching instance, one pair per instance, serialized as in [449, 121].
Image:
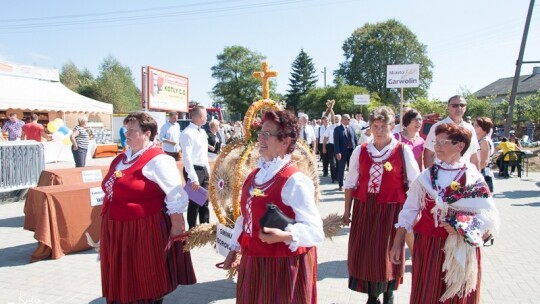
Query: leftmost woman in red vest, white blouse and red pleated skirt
[144, 202]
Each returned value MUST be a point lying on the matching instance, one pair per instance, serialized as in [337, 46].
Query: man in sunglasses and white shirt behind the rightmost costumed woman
[457, 105]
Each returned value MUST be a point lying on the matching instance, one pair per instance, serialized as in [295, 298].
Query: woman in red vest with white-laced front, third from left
[378, 176]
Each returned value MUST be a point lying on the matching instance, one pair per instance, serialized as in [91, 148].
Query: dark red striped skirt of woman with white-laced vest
[370, 240]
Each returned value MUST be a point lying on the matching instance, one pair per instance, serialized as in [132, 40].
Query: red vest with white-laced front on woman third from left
[392, 189]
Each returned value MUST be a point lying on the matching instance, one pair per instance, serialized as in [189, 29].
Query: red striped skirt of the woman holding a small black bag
[278, 280]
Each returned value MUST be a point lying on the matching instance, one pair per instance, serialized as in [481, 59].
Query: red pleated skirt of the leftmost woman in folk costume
[135, 268]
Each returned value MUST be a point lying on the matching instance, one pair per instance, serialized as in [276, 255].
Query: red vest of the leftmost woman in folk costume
[134, 196]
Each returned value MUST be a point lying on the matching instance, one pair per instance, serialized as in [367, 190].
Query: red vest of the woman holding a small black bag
[252, 245]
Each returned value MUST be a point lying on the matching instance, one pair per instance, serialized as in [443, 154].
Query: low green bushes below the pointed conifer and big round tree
[314, 103]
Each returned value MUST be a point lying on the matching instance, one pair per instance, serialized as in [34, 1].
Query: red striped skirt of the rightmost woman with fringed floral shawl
[427, 275]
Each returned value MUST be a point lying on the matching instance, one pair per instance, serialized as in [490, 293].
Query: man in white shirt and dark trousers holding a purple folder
[194, 143]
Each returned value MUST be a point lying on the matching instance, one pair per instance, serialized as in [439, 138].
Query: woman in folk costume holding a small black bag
[277, 266]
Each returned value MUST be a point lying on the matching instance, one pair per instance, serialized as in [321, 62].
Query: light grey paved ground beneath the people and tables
[511, 268]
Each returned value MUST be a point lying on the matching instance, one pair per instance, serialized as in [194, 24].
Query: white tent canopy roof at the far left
[33, 94]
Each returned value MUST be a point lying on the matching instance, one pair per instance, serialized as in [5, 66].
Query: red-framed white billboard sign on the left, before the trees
[166, 91]
